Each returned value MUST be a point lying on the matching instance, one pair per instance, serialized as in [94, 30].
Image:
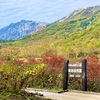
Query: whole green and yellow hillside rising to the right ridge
[73, 36]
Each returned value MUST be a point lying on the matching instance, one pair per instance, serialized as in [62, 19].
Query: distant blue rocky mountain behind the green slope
[19, 29]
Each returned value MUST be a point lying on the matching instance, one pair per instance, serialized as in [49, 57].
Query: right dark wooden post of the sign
[84, 75]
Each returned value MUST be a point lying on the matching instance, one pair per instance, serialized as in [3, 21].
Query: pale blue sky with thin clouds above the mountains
[12, 11]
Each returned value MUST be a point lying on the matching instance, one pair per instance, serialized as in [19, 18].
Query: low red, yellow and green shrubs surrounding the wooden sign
[16, 74]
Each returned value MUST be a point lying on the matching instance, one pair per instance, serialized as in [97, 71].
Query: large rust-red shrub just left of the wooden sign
[53, 61]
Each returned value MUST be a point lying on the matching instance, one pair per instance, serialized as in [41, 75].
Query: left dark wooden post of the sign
[65, 75]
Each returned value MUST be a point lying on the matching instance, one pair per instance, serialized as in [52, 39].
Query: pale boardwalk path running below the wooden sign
[67, 95]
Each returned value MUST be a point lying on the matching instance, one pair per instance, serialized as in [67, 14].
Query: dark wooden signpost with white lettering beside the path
[77, 71]
